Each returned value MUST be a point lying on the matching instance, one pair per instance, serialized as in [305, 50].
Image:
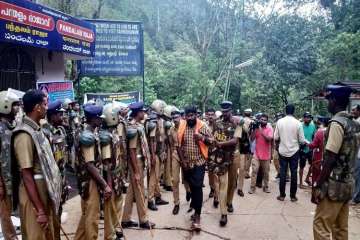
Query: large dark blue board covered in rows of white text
[119, 50]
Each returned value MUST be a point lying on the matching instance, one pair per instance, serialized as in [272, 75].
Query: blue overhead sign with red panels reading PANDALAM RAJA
[27, 23]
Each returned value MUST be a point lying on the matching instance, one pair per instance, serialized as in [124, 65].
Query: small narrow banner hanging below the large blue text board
[103, 98]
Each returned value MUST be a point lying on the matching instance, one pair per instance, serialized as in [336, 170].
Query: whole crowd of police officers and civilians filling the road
[123, 155]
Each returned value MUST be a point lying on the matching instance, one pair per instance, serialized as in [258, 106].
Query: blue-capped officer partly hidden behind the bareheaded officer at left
[56, 134]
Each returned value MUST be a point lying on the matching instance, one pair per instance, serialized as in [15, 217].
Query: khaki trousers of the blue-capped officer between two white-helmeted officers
[135, 191]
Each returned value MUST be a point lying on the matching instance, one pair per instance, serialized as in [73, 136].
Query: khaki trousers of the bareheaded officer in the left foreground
[30, 229]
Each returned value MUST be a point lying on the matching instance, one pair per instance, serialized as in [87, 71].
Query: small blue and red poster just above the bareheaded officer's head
[57, 90]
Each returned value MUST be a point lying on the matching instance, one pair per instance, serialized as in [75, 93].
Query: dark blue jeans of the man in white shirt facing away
[285, 162]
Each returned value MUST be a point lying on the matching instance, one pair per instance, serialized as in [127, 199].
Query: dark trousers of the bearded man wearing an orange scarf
[195, 178]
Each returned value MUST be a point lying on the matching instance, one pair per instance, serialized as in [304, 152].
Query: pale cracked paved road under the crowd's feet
[256, 217]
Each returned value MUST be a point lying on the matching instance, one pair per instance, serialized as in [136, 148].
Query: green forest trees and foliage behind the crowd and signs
[291, 49]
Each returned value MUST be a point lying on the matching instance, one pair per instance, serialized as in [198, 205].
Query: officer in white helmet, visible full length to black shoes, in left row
[156, 138]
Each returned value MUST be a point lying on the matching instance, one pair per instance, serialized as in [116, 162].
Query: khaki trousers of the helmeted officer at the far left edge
[7, 227]
